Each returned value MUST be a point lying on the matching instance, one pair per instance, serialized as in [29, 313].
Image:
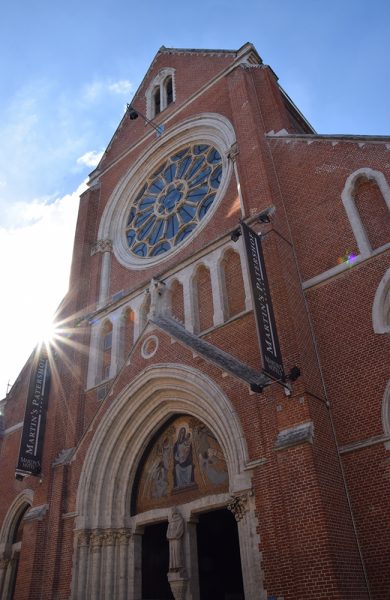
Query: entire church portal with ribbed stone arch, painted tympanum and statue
[124, 490]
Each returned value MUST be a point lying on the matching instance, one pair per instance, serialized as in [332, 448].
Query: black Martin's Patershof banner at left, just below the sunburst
[31, 445]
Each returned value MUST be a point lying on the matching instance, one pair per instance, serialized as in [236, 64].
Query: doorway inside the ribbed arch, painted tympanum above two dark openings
[182, 466]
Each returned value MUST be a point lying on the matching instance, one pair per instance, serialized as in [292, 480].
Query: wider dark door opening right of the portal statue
[220, 576]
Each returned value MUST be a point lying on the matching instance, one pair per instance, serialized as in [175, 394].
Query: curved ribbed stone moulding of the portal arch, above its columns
[103, 498]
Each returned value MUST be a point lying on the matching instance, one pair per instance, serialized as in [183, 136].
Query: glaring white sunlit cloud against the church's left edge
[34, 277]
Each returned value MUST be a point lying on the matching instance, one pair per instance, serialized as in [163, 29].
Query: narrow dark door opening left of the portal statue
[155, 563]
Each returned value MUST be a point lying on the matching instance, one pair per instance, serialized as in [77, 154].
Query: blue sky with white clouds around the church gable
[67, 71]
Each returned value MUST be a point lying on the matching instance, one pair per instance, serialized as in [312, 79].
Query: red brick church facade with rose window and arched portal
[158, 399]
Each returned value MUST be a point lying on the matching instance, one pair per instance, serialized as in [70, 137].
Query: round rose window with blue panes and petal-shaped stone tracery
[173, 200]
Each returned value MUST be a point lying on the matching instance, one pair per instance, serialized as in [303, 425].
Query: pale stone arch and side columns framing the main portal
[105, 527]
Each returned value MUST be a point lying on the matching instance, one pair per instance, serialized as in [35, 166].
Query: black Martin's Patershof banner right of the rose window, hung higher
[265, 319]
